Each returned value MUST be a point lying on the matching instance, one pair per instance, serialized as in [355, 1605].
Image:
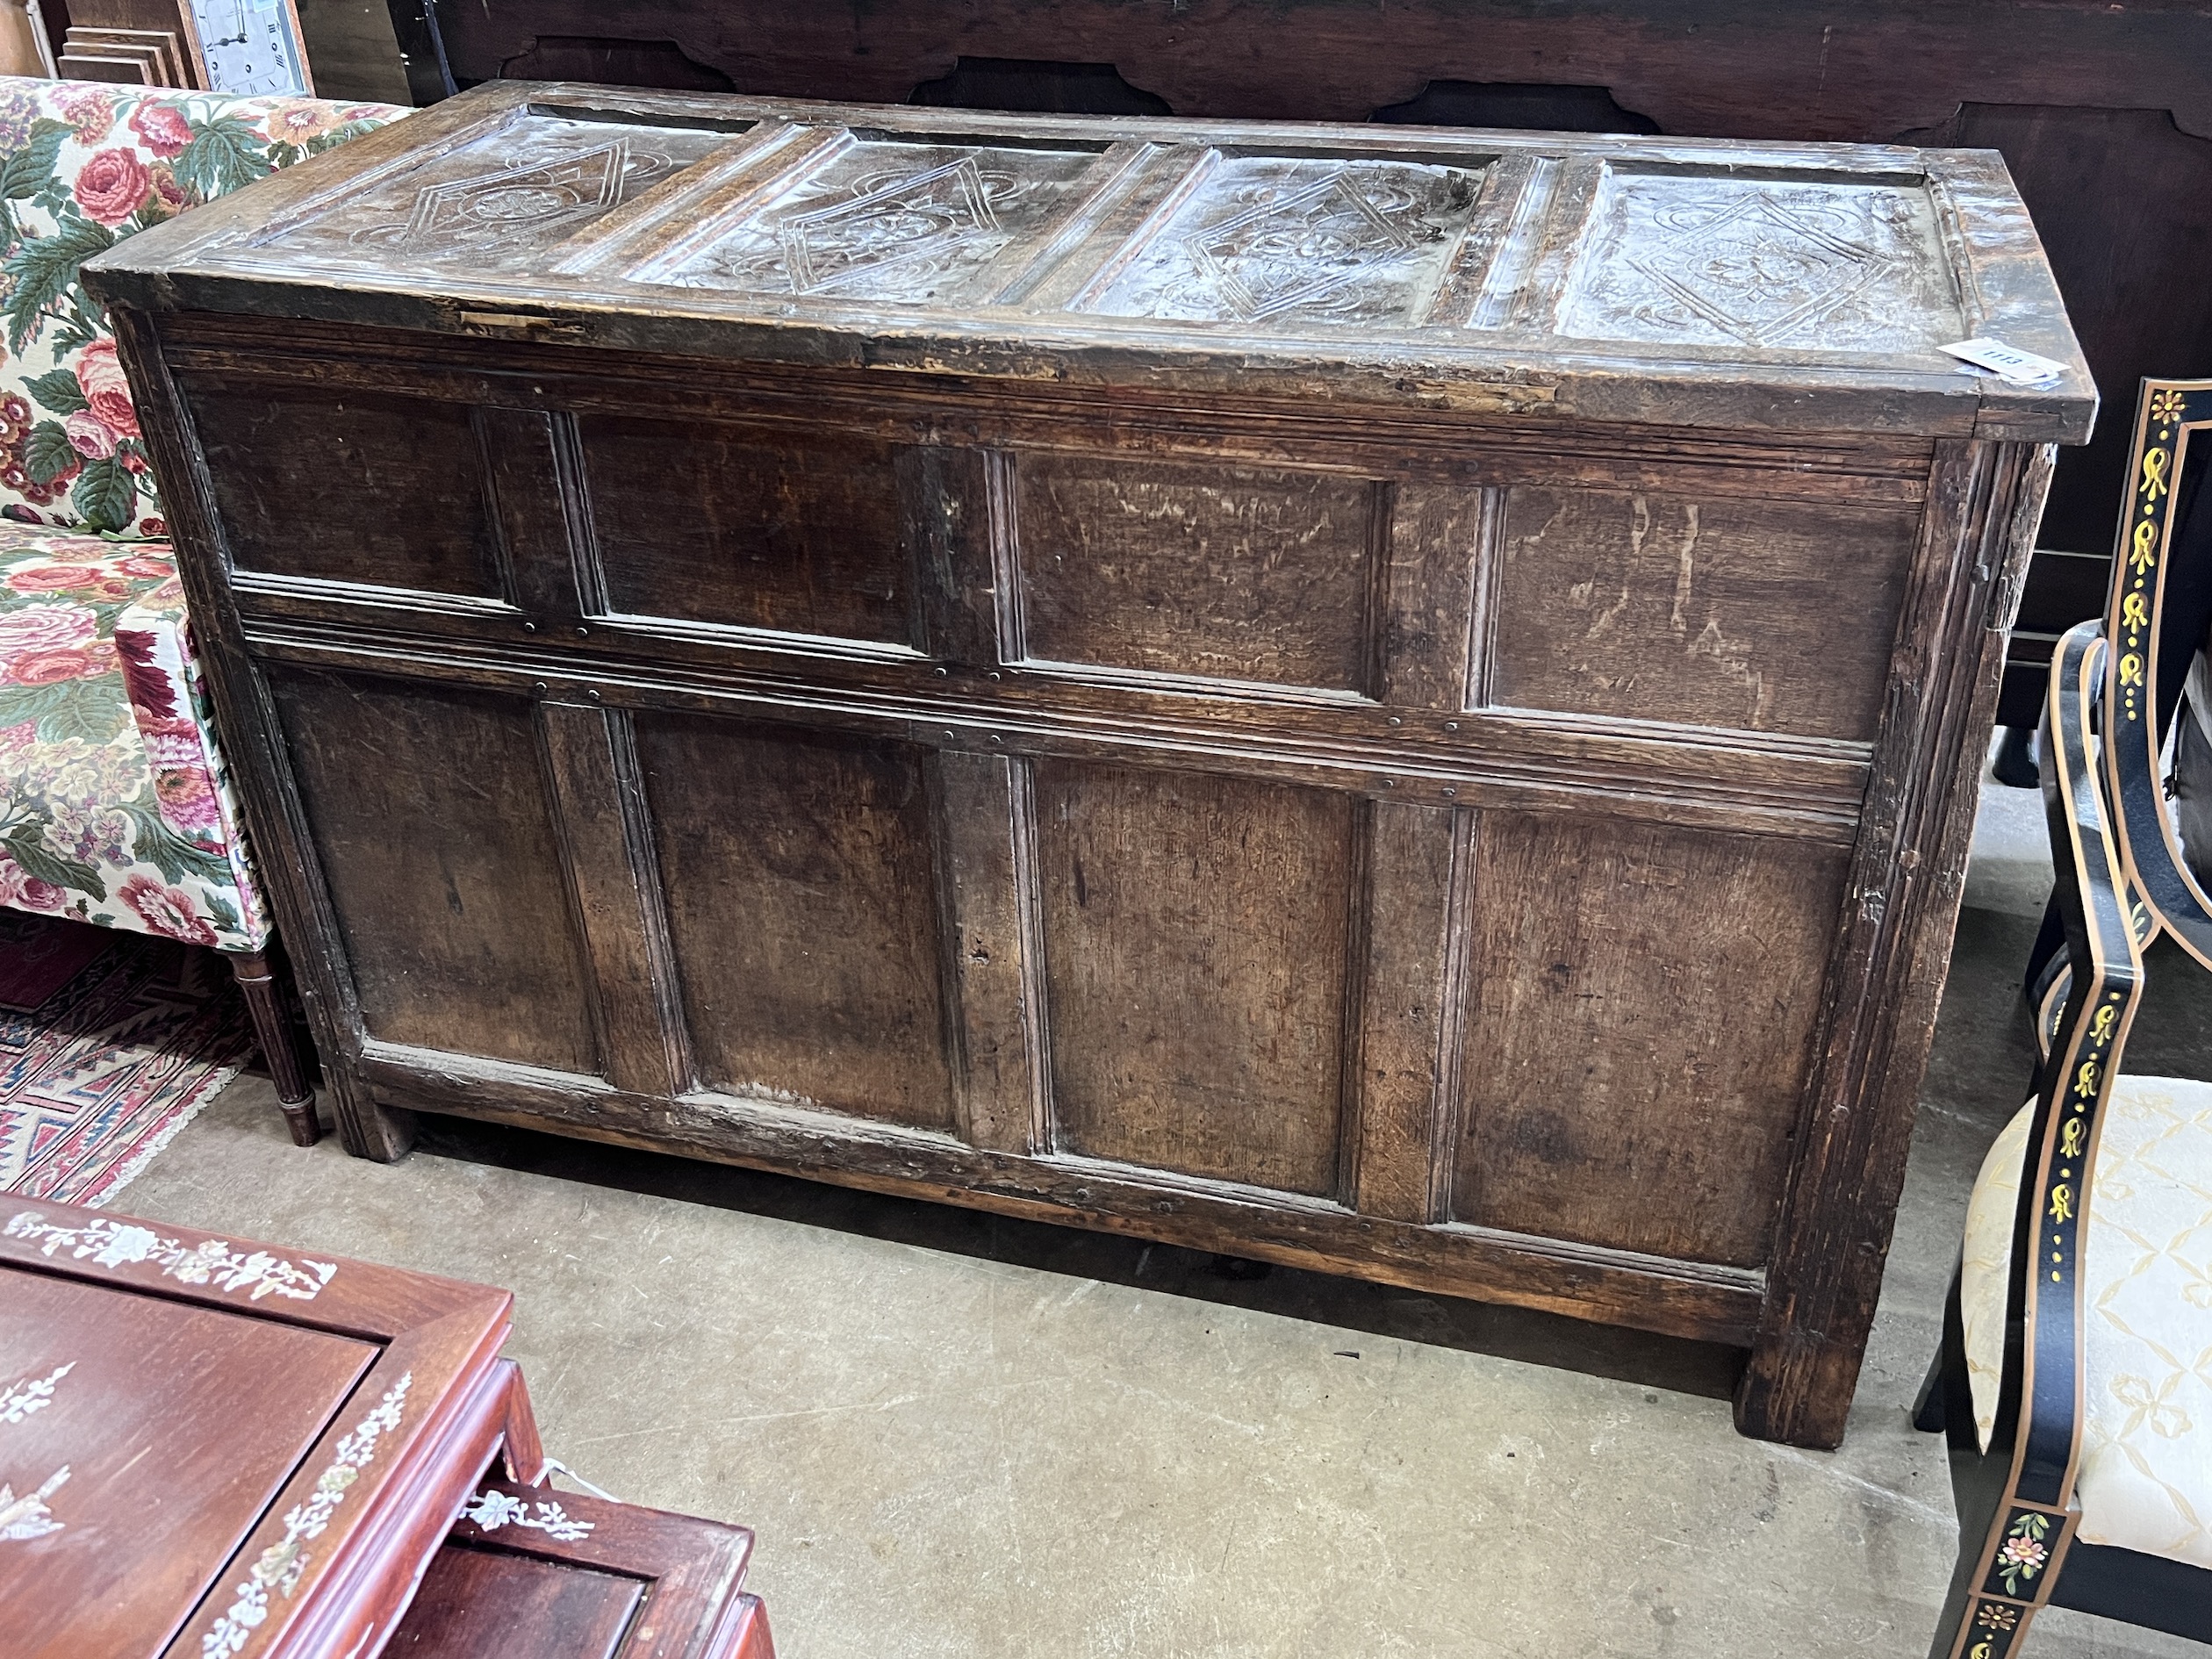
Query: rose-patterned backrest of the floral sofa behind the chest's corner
[81, 169]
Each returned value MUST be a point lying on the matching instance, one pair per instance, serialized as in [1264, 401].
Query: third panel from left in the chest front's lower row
[1196, 961]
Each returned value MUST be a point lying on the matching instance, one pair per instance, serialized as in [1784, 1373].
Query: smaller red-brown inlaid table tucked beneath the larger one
[530, 1574]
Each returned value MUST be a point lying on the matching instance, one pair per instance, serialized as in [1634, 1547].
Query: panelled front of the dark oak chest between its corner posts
[1085, 793]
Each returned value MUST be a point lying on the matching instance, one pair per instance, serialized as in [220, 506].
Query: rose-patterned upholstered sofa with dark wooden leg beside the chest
[114, 800]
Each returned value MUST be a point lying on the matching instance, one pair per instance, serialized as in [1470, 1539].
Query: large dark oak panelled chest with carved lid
[1384, 700]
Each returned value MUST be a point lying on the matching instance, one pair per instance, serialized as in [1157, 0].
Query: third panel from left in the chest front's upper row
[1249, 574]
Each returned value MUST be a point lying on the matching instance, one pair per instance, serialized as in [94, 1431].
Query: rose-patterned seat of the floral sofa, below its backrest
[114, 802]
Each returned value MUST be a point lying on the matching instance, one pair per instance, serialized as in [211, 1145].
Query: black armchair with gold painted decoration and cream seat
[2076, 1368]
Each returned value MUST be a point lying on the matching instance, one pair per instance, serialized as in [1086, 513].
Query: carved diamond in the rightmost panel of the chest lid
[1762, 271]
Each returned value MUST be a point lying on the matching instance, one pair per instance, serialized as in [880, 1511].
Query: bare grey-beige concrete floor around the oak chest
[1008, 1441]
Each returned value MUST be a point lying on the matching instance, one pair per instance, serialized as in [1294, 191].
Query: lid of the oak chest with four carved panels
[1680, 282]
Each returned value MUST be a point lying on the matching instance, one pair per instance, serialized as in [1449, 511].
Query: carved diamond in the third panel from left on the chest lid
[1297, 249]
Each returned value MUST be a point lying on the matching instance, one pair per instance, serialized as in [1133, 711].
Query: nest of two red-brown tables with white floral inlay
[220, 1450]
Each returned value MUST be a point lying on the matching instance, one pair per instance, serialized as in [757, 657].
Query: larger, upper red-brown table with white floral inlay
[216, 1448]
